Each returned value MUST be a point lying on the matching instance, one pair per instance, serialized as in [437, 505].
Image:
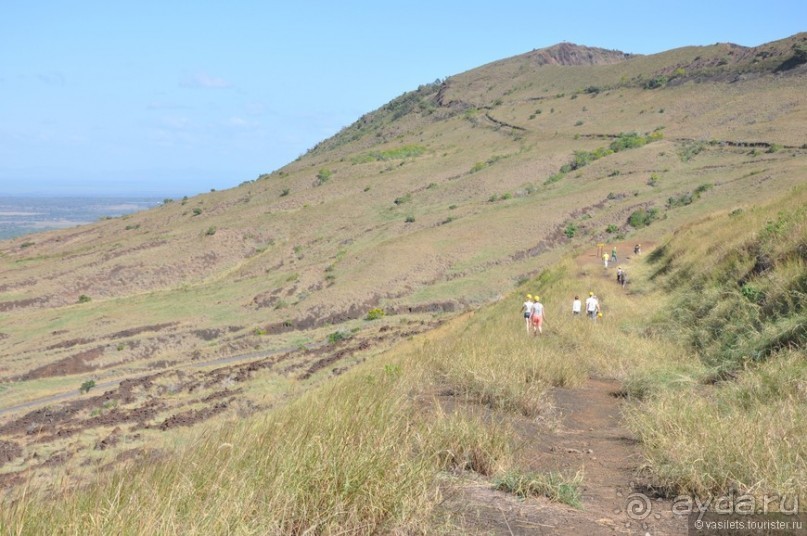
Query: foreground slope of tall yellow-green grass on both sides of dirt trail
[375, 450]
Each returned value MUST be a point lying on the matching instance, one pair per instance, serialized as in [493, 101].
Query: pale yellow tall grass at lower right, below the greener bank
[747, 435]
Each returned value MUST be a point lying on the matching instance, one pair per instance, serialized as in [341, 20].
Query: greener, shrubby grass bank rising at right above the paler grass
[739, 297]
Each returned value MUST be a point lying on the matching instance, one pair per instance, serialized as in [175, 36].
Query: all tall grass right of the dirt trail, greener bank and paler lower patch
[737, 299]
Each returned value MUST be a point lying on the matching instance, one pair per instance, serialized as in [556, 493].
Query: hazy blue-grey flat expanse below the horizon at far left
[25, 215]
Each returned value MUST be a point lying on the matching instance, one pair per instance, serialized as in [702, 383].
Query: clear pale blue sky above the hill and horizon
[177, 97]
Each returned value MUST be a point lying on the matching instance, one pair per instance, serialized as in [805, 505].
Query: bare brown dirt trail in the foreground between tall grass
[590, 439]
